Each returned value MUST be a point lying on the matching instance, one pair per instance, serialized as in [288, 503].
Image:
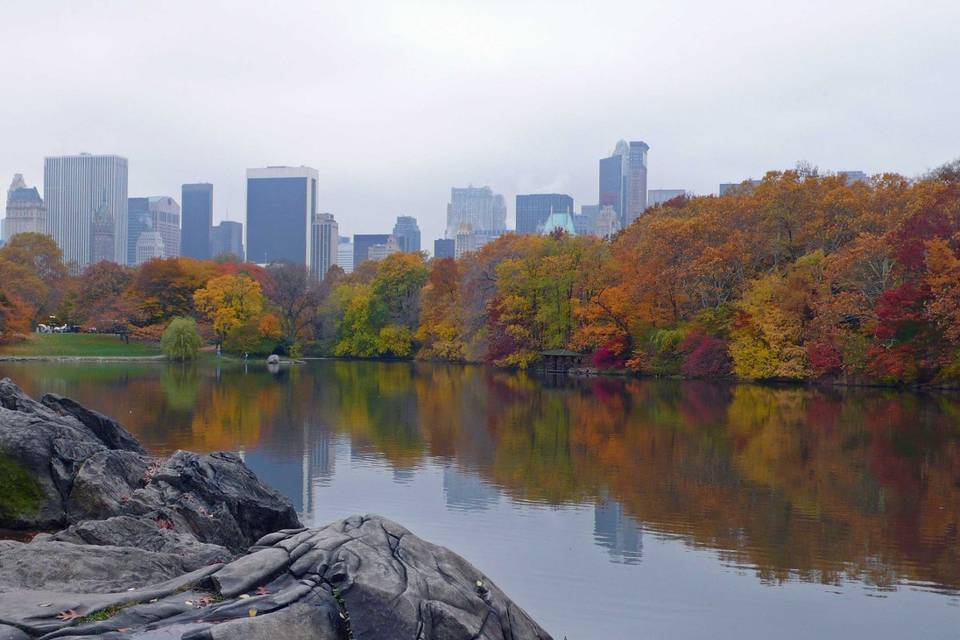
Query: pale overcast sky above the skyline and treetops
[396, 102]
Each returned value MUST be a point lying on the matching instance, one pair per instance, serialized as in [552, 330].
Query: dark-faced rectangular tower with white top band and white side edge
[281, 208]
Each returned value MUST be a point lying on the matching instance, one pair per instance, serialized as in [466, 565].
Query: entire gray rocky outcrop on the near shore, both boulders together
[196, 547]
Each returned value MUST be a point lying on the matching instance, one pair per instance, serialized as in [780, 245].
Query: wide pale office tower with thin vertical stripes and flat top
[76, 187]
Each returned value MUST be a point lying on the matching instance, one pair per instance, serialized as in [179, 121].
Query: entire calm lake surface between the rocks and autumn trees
[608, 509]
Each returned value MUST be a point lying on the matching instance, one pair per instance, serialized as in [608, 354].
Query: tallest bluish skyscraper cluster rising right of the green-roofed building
[623, 180]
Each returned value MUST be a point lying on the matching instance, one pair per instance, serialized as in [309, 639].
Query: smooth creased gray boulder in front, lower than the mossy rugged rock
[363, 577]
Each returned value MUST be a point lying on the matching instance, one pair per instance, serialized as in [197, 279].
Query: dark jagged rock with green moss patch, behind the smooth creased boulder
[68, 464]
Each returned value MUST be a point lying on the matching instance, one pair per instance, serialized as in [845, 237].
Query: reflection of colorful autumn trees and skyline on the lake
[784, 484]
